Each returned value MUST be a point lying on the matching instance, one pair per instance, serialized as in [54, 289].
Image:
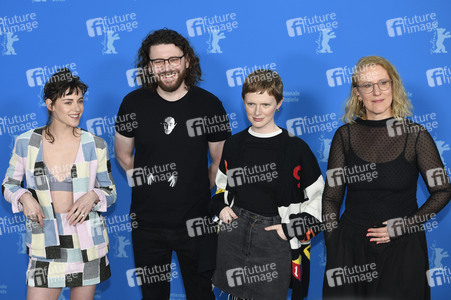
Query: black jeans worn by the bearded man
[153, 248]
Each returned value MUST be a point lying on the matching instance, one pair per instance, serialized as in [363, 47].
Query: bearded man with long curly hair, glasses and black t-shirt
[167, 211]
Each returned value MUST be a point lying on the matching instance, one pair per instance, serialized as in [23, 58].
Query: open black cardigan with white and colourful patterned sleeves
[299, 191]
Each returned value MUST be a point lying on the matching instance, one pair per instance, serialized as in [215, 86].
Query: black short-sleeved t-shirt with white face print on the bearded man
[169, 181]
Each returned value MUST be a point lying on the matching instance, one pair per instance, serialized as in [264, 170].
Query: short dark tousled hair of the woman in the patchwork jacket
[63, 82]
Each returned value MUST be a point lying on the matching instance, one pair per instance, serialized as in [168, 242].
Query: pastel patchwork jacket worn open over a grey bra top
[91, 171]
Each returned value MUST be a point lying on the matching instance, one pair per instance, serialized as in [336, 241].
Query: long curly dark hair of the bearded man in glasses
[160, 37]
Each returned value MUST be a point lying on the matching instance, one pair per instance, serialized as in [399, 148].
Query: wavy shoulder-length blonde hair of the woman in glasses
[400, 107]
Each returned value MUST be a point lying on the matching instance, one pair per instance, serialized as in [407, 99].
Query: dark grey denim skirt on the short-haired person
[252, 263]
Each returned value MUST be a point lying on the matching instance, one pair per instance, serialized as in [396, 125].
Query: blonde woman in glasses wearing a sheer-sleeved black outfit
[379, 250]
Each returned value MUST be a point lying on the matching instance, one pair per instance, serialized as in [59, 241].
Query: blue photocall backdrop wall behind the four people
[312, 44]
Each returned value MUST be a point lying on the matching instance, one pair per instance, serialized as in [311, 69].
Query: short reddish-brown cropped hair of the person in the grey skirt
[263, 80]
